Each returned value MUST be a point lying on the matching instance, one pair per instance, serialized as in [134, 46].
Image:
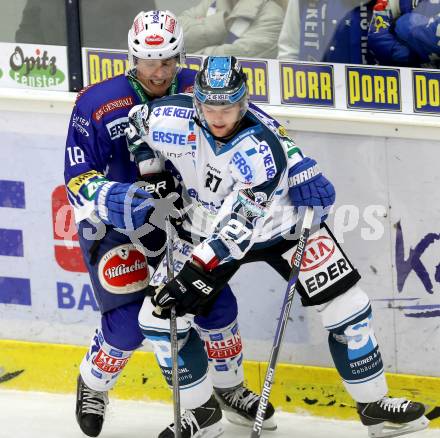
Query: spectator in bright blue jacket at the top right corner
[406, 33]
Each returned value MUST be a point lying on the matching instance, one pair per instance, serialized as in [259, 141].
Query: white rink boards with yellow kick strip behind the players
[386, 216]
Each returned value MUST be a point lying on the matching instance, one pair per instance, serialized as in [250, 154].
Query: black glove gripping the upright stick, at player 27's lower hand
[190, 291]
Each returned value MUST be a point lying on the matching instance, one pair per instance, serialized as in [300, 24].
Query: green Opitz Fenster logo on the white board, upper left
[39, 70]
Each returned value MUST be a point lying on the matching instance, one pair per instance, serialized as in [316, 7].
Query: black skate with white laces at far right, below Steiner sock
[390, 417]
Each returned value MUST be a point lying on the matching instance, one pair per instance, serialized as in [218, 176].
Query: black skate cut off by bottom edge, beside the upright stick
[199, 422]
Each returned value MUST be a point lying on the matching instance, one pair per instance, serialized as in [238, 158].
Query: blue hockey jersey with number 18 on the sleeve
[96, 148]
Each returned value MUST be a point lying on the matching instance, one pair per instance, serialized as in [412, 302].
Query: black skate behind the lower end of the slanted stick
[241, 404]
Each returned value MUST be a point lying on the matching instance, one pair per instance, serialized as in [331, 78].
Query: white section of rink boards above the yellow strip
[386, 217]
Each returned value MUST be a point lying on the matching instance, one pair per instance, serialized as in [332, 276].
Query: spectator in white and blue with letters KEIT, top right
[326, 31]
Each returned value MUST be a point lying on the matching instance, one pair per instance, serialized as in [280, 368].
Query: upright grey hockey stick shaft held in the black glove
[173, 335]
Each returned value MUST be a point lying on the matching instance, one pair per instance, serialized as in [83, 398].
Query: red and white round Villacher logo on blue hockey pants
[123, 270]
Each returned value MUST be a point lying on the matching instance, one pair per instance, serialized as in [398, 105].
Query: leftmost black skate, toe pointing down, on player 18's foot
[90, 408]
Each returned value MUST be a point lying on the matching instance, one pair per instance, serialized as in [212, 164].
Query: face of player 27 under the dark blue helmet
[221, 119]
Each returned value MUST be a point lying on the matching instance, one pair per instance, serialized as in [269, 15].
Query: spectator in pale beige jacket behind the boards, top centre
[243, 28]
